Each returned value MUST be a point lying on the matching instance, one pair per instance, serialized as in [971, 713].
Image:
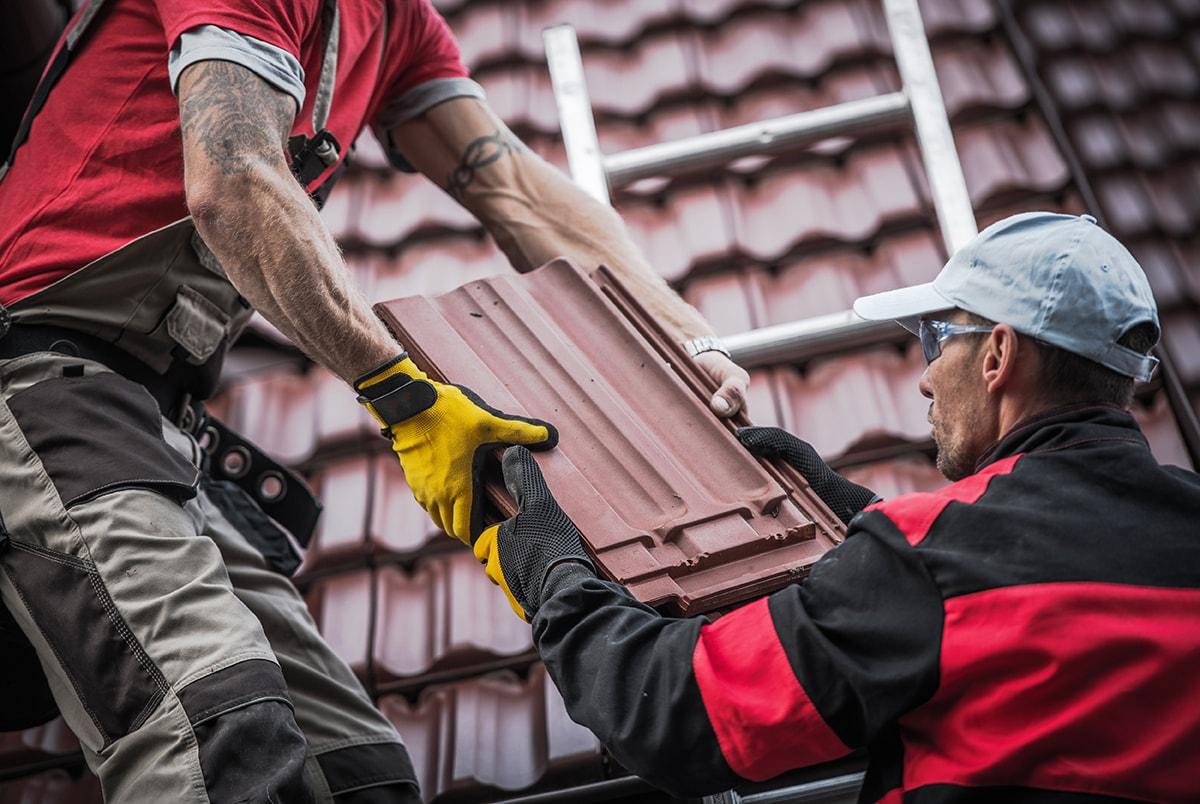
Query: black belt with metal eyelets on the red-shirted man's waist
[279, 491]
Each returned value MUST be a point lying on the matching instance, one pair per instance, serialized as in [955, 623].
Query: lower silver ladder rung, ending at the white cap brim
[801, 340]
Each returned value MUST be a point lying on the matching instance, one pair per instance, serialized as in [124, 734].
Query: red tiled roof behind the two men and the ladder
[758, 243]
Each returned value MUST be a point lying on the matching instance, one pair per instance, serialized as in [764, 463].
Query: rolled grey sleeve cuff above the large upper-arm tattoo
[274, 65]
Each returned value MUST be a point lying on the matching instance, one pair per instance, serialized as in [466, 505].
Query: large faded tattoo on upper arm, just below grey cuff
[233, 116]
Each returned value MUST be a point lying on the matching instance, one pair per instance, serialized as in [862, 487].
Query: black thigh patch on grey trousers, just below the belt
[99, 434]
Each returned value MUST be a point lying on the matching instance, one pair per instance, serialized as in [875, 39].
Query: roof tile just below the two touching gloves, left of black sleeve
[447, 615]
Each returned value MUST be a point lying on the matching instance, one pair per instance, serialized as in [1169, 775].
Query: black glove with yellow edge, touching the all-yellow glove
[520, 553]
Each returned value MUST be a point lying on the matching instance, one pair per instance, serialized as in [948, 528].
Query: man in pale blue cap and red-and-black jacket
[1030, 633]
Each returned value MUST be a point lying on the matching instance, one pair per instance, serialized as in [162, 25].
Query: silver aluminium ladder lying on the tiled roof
[920, 103]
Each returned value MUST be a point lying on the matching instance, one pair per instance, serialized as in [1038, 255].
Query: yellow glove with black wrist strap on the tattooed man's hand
[442, 434]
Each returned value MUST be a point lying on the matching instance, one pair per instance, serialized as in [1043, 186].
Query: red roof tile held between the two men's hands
[691, 497]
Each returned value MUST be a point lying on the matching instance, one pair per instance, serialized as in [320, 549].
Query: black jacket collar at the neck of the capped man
[1065, 428]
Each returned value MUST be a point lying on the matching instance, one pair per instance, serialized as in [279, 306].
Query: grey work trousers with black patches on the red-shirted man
[189, 670]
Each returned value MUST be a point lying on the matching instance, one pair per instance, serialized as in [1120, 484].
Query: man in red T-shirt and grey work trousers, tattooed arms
[159, 191]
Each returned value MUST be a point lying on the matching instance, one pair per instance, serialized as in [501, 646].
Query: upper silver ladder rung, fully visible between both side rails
[755, 139]
